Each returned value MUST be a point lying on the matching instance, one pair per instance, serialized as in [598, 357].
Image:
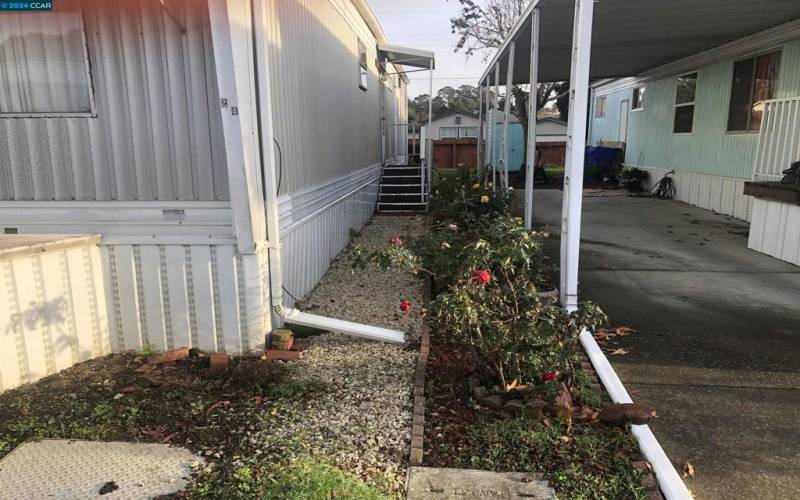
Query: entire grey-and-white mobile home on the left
[222, 155]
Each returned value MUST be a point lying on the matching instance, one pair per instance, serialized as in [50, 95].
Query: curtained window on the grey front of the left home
[44, 68]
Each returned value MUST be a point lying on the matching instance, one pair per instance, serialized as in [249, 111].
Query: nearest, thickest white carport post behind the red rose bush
[576, 145]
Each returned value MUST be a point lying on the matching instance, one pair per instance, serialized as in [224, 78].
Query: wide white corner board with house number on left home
[231, 35]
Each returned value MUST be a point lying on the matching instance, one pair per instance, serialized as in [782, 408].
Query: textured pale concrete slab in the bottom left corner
[62, 469]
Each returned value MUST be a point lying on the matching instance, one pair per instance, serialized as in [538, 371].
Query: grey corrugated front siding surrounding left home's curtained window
[156, 134]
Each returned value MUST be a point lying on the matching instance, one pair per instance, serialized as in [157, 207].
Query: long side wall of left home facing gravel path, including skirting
[328, 131]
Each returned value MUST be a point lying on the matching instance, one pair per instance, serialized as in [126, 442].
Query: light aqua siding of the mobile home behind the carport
[711, 163]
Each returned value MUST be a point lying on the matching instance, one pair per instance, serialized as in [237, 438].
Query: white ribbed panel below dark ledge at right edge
[775, 230]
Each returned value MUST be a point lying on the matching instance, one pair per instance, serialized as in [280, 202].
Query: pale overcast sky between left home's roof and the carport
[425, 24]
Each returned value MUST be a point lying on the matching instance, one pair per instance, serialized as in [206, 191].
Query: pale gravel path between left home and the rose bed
[363, 422]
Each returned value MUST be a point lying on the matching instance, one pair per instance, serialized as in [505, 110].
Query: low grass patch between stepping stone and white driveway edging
[587, 464]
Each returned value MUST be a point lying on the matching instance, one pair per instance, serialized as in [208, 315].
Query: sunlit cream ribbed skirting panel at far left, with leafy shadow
[52, 310]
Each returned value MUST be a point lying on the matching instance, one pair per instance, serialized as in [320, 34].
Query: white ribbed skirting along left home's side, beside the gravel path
[316, 225]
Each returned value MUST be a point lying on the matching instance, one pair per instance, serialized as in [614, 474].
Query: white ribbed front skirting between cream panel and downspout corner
[203, 296]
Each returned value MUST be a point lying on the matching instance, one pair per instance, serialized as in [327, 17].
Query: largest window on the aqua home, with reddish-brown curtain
[755, 80]
